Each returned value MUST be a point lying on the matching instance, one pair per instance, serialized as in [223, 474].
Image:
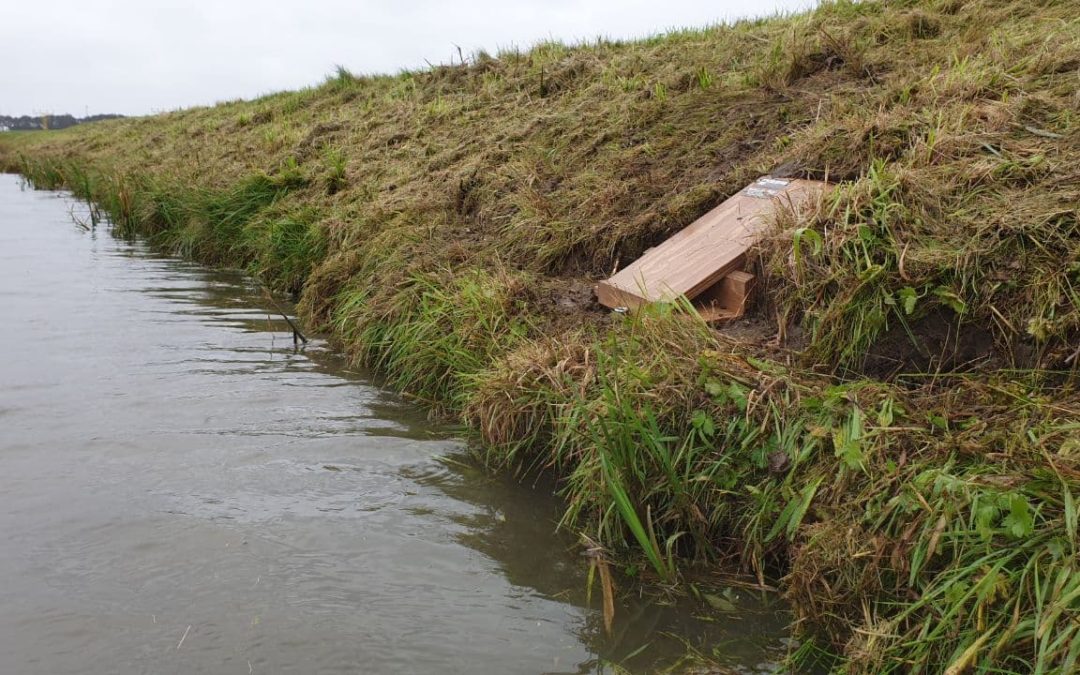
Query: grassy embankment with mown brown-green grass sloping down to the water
[445, 226]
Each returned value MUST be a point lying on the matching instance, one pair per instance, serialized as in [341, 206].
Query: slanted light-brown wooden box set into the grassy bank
[705, 262]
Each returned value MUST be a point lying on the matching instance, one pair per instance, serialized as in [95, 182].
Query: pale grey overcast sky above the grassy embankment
[140, 57]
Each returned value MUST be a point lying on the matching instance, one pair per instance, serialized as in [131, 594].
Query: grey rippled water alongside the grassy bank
[182, 492]
